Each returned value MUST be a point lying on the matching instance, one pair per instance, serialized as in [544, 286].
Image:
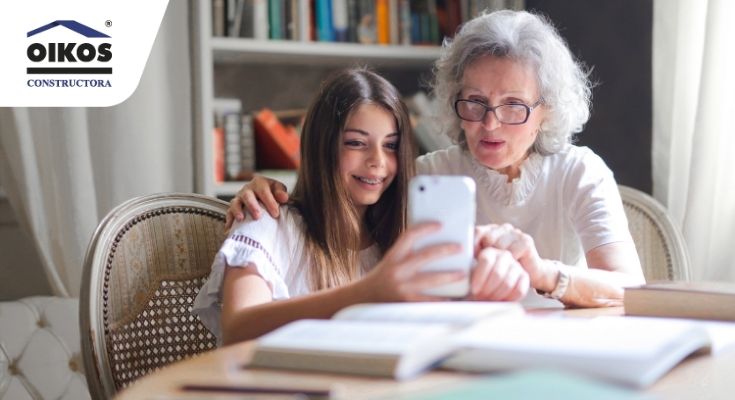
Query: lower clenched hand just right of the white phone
[497, 276]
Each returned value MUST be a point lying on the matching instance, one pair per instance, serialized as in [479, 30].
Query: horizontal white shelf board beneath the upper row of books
[238, 50]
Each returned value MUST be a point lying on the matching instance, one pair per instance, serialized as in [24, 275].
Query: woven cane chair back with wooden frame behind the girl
[143, 269]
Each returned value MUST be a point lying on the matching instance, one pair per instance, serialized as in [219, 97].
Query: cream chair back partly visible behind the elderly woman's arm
[661, 247]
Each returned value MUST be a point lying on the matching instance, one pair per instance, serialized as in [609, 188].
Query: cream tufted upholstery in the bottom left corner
[39, 350]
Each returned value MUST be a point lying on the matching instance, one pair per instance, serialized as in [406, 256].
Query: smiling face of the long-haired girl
[367, 156]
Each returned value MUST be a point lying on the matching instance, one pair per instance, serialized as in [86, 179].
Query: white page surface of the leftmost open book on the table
[354, 336]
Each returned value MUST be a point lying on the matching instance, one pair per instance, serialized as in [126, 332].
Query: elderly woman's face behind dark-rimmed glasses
[494, 81]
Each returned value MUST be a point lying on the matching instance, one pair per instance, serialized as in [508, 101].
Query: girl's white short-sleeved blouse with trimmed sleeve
[275, 249]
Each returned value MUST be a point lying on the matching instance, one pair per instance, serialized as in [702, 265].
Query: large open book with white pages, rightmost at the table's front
[633, 351]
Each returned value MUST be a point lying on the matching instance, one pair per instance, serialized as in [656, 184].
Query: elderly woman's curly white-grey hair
[530, 39]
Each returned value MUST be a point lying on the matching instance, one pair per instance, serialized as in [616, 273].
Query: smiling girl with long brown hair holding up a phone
[347, 209]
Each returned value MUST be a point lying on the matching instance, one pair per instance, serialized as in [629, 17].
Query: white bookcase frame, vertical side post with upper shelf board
[209, 52]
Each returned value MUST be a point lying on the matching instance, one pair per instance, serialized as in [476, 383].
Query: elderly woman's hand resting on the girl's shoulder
[270, 192]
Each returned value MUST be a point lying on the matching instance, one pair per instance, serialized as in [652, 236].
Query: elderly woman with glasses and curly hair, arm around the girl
[513, 98]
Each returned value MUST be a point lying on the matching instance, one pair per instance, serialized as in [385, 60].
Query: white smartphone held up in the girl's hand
[449, 200]
